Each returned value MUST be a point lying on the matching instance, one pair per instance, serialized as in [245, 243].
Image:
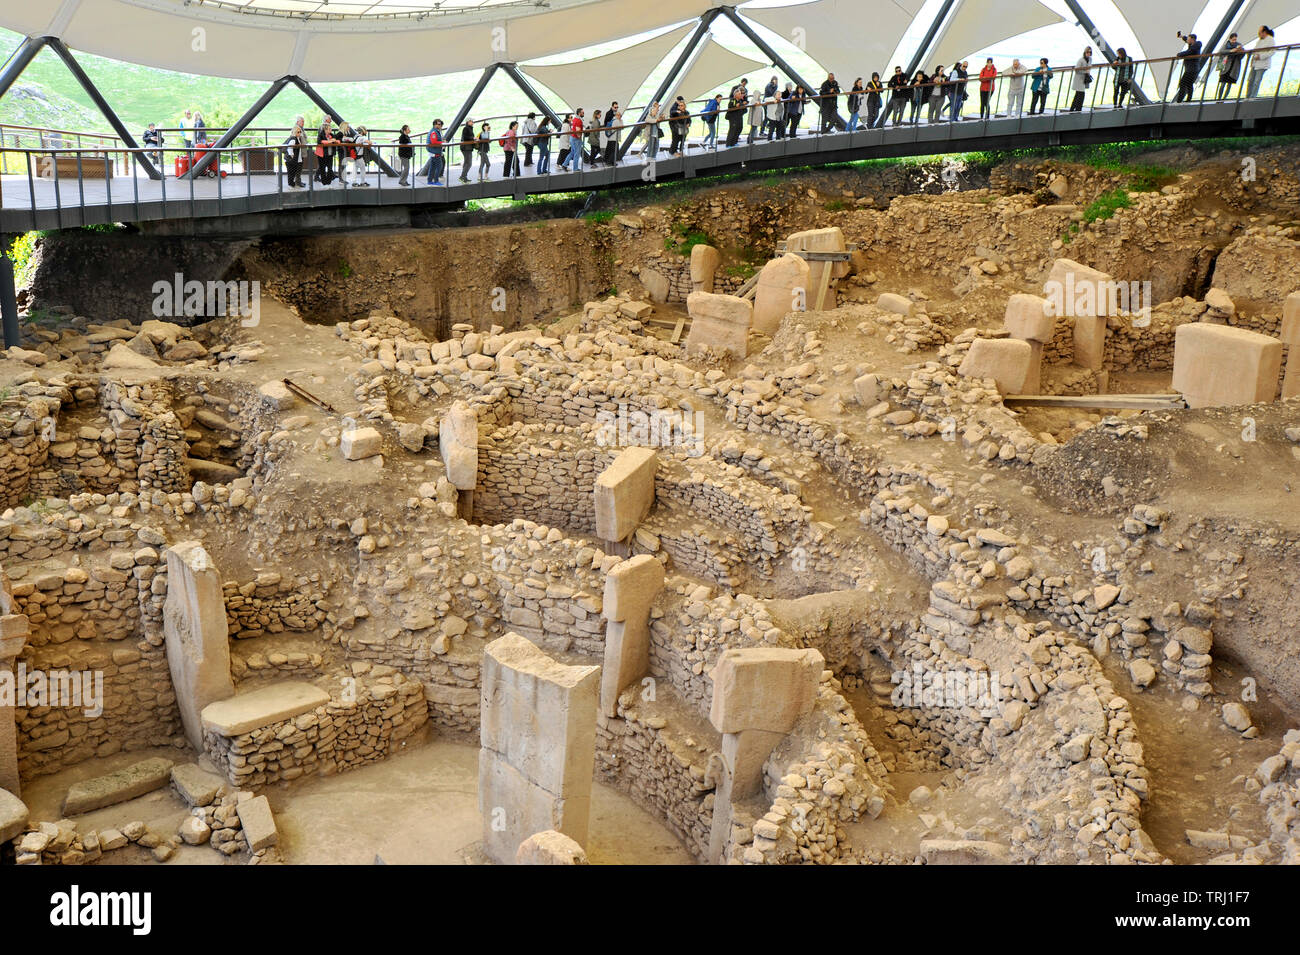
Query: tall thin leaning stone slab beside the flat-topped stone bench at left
[198, 641]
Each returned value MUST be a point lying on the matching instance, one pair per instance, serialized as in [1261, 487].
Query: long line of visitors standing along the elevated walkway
[775, 112]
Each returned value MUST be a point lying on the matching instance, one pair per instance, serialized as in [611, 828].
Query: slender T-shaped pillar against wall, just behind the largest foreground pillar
[631, 588]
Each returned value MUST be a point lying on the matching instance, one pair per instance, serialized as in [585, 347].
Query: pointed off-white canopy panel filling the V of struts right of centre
[846, 37]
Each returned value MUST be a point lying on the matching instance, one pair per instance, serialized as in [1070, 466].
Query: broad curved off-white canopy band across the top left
[222, 42]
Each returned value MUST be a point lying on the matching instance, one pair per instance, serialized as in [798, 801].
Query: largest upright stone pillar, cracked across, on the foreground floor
[538, 732]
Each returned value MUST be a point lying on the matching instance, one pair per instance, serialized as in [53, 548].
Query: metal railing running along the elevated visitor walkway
[58, 186]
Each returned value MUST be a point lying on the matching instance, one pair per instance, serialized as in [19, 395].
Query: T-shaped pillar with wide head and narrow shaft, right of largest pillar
[760, 694]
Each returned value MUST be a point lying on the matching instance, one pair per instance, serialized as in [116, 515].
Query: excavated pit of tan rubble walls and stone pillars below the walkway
[929, 513]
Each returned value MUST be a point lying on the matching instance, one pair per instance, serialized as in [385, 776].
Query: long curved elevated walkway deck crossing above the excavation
[31, 202]
